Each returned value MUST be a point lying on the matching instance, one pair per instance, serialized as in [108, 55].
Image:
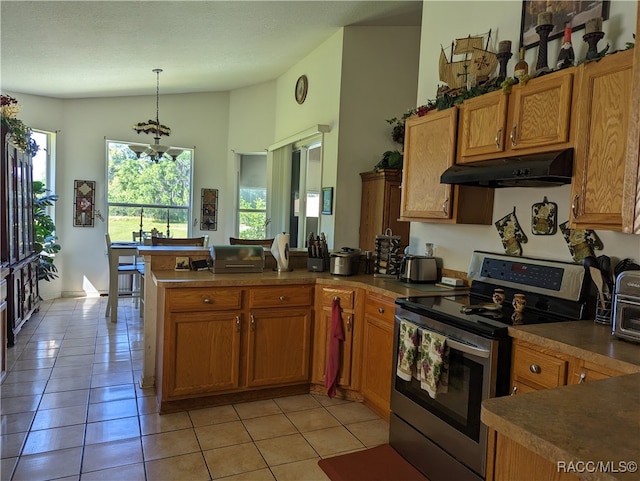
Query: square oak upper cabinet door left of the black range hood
[430, 143]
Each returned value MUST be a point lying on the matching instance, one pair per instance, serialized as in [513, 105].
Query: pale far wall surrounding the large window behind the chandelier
[199, 120]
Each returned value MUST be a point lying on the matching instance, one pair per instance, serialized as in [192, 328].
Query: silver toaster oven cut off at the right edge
[626, 308]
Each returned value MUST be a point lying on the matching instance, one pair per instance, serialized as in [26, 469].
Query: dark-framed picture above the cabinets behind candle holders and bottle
[575, 13]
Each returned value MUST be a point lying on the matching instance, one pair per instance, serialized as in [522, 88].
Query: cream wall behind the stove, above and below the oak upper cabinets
[455, 243]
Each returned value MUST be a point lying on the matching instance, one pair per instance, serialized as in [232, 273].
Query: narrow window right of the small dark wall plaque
[252, 197]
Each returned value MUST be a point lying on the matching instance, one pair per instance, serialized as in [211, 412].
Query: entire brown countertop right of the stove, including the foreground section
[591, 422]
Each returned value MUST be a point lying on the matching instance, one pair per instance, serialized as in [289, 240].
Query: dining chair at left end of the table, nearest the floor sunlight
[131, 270]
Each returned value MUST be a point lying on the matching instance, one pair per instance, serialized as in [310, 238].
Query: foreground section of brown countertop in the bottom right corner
[591, 422]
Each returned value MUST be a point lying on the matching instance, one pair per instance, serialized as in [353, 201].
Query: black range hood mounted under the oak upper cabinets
[536, 170]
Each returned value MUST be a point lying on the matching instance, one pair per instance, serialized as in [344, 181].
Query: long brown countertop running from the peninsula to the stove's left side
[387, 287]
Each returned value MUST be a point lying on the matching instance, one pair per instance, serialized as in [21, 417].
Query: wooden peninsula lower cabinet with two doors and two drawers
[221, 341]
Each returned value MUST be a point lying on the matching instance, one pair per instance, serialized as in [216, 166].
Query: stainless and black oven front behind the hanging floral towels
[451, 420]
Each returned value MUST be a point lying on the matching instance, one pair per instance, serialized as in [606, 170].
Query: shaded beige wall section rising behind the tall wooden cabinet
[379, 82]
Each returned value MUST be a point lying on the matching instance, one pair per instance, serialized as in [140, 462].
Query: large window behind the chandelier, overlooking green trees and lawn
[146, 196]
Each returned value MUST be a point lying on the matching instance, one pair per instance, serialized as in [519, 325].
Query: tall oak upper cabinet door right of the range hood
[601, 142]
